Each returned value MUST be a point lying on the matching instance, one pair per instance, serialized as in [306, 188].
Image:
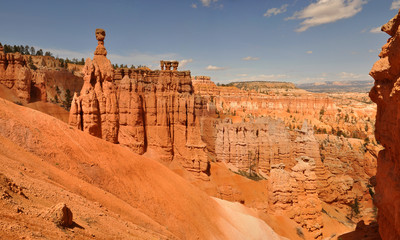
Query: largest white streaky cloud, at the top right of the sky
[327, 11]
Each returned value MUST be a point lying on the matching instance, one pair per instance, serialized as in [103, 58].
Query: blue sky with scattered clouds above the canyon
[297, 41]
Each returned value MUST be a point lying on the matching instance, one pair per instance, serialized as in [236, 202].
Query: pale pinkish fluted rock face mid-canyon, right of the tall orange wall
[255, 145]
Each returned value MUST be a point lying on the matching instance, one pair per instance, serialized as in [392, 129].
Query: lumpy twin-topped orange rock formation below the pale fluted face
[295, 194]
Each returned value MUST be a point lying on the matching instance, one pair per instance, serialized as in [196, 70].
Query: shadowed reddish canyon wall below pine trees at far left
[41, 80]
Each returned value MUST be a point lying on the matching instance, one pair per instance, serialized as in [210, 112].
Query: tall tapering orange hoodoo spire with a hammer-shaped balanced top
[98, 104]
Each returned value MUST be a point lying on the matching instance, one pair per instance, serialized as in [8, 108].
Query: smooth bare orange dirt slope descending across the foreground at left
[113, 193]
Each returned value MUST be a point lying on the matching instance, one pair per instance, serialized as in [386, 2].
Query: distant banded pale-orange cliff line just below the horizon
[227, 99]
